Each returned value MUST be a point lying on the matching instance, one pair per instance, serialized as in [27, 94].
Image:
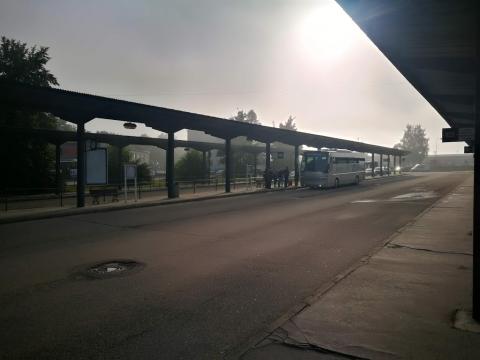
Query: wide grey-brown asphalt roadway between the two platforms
[217, 273]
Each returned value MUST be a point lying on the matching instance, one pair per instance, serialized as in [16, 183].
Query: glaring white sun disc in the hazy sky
[326, 33]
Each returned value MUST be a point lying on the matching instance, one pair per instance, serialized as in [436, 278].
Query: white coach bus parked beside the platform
[332, 168]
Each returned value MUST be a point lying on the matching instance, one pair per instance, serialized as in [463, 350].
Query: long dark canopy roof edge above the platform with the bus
[80, 108]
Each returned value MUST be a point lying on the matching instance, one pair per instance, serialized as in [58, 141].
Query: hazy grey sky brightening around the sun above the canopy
[303, 58]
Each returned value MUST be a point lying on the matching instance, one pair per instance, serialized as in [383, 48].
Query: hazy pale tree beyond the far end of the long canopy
[415, 141]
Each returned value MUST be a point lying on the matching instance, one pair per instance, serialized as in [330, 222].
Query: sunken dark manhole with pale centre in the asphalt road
[109, 269]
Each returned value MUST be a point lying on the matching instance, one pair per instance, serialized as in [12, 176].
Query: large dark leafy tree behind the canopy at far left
[29, 162]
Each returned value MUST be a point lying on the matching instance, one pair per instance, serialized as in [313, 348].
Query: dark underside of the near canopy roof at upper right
[432, 43]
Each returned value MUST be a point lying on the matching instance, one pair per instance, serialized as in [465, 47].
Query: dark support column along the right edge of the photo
[476, 190]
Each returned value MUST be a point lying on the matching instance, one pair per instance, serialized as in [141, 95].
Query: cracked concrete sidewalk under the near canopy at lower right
[400, 303]
